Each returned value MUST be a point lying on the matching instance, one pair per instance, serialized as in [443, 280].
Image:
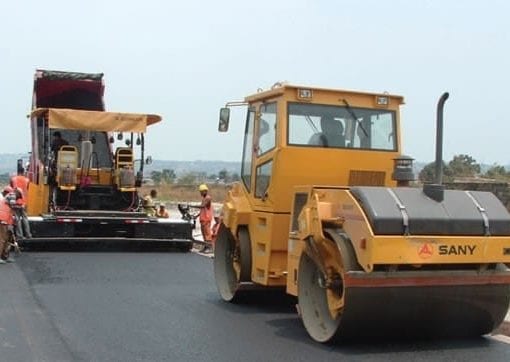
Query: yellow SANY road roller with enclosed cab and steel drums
[324, 210]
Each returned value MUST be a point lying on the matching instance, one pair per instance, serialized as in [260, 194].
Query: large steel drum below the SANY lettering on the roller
[405, 304]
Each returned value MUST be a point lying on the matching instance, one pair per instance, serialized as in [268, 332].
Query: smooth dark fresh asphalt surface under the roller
[119, 306]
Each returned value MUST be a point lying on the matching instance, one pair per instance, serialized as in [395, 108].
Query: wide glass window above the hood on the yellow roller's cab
[315, 125]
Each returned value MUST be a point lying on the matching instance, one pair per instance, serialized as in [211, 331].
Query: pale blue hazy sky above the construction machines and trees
[185, 59]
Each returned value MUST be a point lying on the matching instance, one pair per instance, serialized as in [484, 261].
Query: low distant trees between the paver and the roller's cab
[168, 176]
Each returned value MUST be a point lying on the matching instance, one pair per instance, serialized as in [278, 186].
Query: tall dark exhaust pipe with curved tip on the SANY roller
[436, 190]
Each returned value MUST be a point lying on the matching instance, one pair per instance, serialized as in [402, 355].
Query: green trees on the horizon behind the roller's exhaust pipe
[462, 166]
